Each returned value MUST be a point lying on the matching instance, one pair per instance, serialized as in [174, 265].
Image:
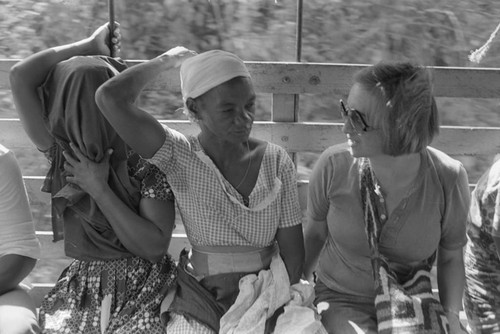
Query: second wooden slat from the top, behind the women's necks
[308, 137]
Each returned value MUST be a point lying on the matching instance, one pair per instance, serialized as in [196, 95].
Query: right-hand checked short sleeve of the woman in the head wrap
[290, 206]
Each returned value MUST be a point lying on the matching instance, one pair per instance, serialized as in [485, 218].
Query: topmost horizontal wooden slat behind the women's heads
[300, 78]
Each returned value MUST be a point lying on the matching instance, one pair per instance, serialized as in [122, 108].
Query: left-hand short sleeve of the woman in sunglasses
[318, 201]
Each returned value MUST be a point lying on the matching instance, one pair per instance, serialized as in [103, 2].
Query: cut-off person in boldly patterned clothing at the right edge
[482, 255]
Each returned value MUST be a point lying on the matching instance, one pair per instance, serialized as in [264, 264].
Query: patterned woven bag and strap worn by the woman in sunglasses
[402, 307]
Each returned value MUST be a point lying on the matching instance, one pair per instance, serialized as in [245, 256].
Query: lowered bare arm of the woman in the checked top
[291, 243]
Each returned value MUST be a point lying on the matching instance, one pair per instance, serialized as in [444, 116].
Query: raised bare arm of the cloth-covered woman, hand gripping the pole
[30, 73]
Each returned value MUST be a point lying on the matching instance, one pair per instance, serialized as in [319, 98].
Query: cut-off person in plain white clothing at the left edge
[19, 249]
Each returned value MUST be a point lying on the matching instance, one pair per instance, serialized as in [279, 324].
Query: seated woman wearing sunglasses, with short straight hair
[390, 118]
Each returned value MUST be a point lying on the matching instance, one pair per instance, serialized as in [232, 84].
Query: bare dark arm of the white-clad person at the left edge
[13, 269]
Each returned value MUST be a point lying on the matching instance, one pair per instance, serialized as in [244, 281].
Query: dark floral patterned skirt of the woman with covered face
[113, 296]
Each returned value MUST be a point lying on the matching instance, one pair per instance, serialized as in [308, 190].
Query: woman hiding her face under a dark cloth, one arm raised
[114, 209]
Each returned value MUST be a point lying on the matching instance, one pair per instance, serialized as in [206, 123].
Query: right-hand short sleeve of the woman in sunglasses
[457, 199]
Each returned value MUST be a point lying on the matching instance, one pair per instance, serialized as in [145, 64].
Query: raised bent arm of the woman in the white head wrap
[116, 99]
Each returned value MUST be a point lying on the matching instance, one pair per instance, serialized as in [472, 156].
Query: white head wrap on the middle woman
[209, 69]
